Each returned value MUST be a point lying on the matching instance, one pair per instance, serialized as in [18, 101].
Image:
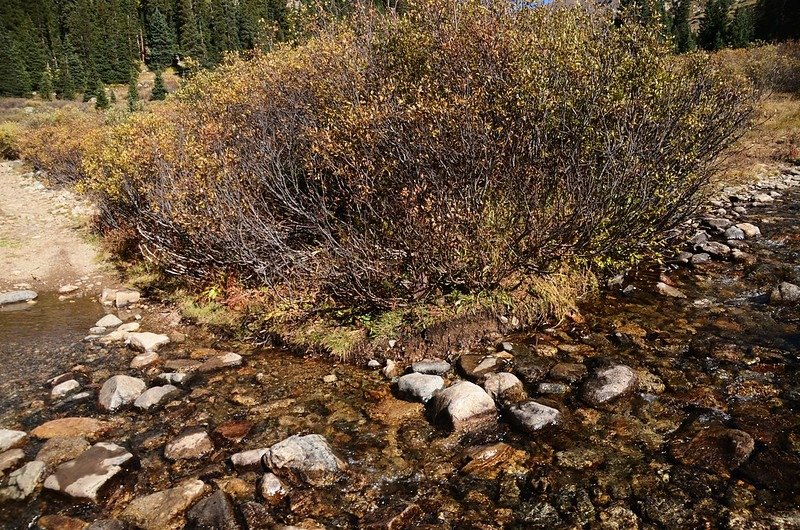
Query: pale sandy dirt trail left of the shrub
[44, 236]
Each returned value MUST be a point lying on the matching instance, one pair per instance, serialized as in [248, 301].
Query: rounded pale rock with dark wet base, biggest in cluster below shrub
[464, 406]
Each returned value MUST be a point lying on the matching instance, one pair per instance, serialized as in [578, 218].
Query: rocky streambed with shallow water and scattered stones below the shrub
[671, 402]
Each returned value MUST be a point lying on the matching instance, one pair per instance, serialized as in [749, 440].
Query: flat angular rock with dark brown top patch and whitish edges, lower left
[84, 477]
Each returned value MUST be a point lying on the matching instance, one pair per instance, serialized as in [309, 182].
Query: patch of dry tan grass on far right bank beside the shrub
[772, 142]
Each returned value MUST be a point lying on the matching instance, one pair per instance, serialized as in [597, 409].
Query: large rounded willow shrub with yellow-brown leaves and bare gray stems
[461, 147]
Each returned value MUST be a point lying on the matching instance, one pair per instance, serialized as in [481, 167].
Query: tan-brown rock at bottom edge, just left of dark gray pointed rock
[164, 510]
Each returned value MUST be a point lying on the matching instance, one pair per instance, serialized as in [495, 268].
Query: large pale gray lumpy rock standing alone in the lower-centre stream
[306, 459]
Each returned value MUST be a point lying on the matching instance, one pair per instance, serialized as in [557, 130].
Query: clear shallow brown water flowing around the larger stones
[722, 360]
